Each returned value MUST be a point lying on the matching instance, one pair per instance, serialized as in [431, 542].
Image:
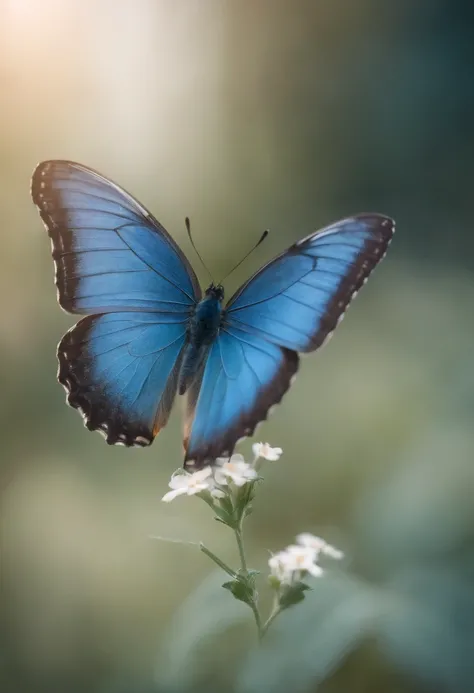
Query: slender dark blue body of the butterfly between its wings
[203, 328]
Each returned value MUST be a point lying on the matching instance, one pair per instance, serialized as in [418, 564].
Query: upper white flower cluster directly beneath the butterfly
[233, 470]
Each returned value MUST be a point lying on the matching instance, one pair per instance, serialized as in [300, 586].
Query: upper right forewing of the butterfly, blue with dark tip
[297, 300]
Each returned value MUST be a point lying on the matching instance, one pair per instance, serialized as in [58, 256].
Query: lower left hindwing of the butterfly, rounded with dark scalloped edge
[120, 370]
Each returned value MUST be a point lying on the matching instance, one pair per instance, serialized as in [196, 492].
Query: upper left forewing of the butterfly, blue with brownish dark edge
[111, 254]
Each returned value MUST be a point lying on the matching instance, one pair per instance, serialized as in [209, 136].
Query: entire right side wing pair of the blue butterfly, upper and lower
[291, 305]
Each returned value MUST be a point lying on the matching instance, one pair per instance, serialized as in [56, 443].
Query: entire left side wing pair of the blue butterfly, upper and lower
[118, 265]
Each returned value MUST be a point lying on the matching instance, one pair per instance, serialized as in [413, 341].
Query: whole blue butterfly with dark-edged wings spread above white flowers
[150, 333]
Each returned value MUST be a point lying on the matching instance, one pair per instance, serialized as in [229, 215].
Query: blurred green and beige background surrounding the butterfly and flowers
[246, 115]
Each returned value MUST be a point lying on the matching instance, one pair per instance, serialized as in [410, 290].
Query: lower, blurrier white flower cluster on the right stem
[298, 560]
